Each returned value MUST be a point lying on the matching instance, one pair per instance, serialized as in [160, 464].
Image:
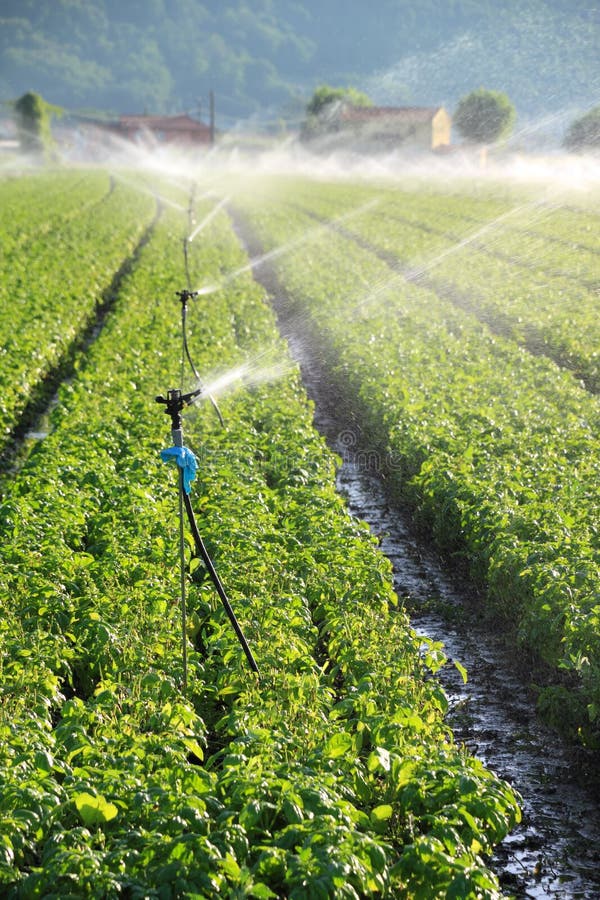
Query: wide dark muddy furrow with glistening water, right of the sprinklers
[555, 851]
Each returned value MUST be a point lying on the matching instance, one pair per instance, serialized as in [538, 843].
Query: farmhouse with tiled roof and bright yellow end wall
[387, 128]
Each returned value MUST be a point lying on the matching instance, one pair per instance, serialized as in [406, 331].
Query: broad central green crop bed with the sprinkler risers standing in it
[334, 773]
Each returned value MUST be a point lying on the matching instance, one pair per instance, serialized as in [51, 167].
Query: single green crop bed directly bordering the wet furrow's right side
[495, 449]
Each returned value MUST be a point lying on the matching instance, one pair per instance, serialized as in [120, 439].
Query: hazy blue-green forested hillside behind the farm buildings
[264, 58]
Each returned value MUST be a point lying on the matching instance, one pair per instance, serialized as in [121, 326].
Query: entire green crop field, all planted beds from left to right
[334, 772]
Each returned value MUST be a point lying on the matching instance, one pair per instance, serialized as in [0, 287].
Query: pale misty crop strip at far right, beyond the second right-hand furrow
[539, 288]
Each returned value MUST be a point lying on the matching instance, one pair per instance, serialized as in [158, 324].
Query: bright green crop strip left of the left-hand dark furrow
[53, 285]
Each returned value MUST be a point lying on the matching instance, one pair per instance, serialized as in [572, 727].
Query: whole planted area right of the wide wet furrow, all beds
[474, 385]
